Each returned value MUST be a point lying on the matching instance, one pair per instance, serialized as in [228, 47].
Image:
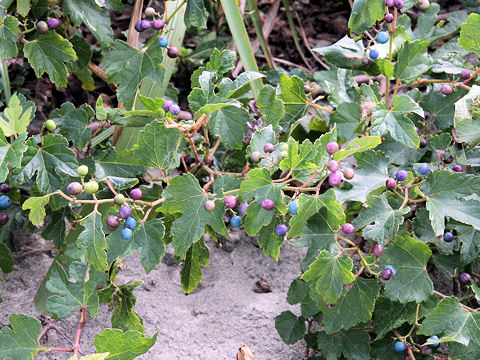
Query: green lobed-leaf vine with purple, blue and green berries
[378, 179]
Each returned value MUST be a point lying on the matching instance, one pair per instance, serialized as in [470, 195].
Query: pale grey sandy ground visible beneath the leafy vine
[211, 323]
